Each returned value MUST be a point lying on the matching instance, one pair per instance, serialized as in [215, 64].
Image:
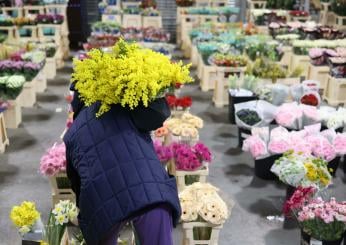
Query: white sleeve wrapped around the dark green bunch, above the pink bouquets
[264, 109]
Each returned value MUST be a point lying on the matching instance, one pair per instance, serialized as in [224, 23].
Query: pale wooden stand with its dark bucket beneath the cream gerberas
[200, 233]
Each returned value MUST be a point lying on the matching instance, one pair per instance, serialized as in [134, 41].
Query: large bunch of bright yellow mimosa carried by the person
[136, 76]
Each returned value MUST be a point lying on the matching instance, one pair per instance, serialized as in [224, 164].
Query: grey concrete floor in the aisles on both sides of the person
[231, 170]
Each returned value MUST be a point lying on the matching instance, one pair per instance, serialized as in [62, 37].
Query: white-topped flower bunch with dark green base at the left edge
[11, 86]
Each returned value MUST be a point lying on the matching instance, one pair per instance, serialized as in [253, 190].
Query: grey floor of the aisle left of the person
[19, 175]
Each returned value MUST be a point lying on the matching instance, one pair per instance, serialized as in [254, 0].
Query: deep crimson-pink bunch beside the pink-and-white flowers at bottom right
[299, 198]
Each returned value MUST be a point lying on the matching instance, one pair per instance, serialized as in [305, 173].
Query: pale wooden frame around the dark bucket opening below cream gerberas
[188, 236]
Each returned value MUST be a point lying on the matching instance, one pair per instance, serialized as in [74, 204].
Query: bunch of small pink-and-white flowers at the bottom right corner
[326, 211]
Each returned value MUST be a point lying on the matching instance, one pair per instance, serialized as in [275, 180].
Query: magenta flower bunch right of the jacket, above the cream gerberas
[188, 157]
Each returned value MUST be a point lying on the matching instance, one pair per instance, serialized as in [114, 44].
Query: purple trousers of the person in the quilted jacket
[152, 228]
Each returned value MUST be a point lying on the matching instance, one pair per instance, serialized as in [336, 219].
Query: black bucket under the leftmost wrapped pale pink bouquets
[263, 166]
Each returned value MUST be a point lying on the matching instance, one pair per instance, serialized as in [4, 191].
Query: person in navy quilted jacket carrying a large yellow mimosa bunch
[110, 156]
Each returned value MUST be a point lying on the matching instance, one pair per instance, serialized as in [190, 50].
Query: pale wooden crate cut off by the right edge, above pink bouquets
[335, 92]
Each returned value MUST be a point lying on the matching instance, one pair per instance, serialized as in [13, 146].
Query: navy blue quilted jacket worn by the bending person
[120, 174]
